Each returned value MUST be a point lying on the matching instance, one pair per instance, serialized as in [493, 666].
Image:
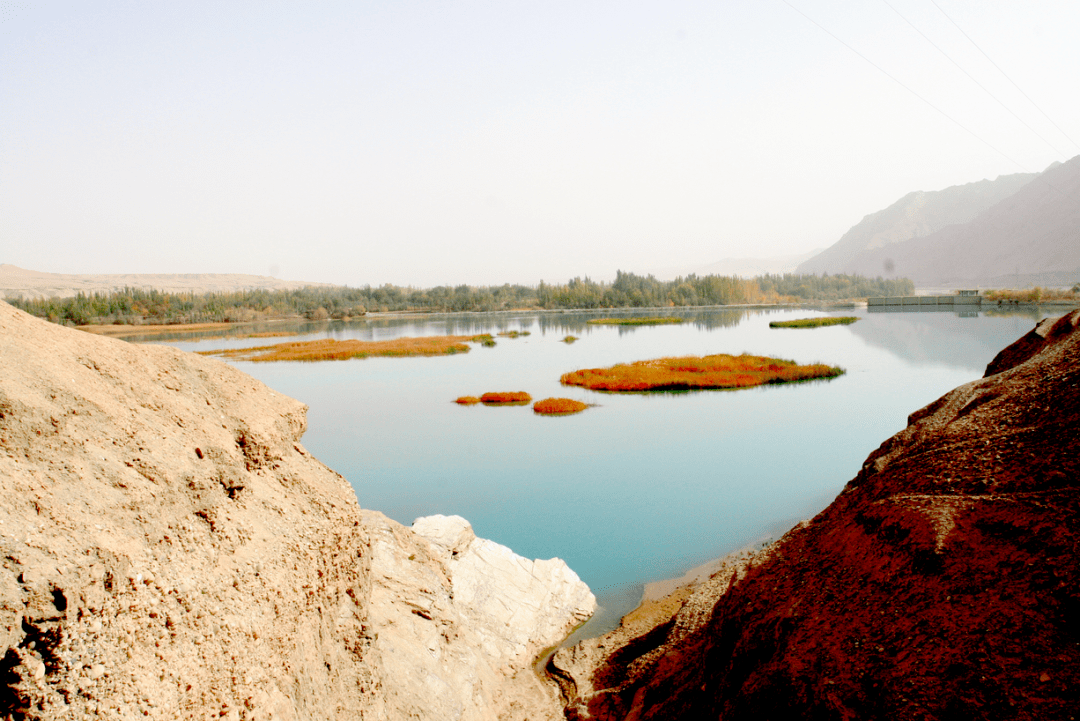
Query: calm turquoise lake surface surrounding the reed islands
[641, 487]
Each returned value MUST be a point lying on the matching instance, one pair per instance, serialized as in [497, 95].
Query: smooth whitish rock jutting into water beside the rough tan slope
[458, 621]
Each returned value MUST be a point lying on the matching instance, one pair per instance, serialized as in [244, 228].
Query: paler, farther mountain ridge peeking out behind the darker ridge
[916, 215]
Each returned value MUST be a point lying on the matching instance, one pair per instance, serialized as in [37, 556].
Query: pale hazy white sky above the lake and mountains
[428, 143]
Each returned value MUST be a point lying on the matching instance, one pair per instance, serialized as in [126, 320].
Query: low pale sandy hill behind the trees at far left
[19, 283]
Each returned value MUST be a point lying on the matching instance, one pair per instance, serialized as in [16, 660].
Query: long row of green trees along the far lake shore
[628, 291]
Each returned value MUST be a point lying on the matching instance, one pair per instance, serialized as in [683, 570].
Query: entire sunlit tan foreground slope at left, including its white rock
[171, 551]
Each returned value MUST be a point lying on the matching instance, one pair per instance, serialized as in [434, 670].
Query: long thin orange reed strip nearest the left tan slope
[342, 350]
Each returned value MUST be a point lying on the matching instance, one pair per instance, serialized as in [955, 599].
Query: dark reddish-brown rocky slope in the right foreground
[943, 583]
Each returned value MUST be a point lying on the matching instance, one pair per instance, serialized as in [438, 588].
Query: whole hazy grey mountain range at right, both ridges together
[1015, 232]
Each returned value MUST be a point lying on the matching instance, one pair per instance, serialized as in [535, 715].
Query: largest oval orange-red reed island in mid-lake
[698, 373]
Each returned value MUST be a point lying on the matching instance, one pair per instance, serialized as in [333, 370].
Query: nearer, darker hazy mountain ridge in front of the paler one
[1032, 238]
